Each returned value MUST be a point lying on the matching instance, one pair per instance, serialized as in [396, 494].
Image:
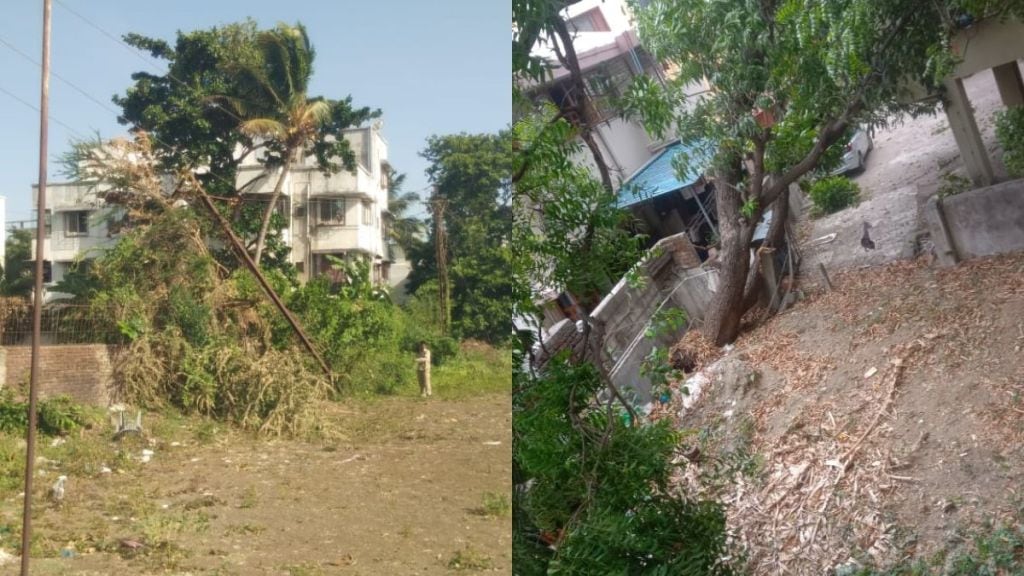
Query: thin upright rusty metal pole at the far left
[37, 310]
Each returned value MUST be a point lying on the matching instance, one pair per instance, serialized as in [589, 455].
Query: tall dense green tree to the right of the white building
[472, 174]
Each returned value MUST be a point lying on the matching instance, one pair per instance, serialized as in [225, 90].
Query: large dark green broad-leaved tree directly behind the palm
[200, 114]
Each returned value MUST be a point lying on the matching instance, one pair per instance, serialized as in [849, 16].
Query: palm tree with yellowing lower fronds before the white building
[276, 108]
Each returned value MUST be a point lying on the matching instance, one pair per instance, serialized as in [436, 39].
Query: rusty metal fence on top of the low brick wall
[62, 324]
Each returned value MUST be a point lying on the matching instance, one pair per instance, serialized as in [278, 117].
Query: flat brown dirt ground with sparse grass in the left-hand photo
[405, 486]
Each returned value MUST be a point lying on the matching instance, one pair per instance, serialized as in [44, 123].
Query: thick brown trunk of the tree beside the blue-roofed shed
[722, 320]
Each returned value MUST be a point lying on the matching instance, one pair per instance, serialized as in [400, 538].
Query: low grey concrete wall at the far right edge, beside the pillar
[980, 223]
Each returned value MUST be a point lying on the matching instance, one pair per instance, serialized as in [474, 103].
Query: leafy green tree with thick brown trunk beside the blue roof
[789, 78]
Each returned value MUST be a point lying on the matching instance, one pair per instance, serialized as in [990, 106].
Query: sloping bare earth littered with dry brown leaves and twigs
[871, 424]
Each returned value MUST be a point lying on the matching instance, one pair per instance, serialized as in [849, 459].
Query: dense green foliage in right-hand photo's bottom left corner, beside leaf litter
[607, 484]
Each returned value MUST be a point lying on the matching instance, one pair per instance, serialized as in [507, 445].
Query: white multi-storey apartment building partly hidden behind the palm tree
[342, 216]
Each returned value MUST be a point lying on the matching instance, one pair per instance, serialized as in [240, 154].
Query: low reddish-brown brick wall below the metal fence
[81, 372]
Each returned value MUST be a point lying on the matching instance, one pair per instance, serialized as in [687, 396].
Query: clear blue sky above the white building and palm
[433, 68]
